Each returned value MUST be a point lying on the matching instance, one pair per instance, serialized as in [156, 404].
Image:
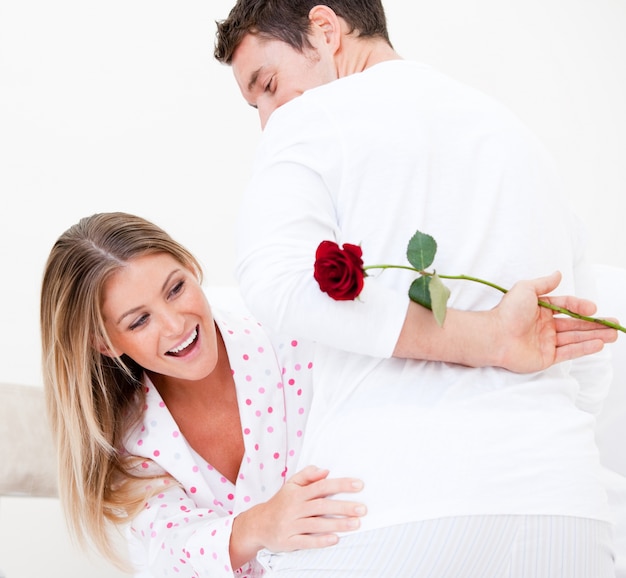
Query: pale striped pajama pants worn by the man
[463, 547]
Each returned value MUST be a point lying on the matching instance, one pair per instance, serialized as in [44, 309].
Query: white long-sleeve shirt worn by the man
[368, 160]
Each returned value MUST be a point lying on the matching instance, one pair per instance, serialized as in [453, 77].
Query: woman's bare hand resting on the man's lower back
[300, 516]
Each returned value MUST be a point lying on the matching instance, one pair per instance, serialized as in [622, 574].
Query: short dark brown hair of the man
[288, 21]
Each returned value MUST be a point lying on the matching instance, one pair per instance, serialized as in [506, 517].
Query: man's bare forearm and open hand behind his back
[517, 334]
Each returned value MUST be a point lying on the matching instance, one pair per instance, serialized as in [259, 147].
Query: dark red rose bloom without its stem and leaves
[339, 271]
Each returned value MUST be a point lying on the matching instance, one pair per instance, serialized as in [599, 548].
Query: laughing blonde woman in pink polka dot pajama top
[171, 420]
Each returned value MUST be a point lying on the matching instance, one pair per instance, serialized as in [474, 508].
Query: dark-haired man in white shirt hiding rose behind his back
[469, 471]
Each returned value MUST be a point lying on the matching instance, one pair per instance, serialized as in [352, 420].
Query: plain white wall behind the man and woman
[119, 105]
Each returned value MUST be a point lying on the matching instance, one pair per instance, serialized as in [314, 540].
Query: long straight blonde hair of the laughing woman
[92, 399]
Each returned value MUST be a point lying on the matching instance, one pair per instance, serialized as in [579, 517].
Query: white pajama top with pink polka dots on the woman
[185, 531]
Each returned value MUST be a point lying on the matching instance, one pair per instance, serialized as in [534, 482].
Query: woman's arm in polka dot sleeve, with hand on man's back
[173, 535]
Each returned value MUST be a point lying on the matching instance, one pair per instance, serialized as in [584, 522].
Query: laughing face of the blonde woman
[156, 313]
